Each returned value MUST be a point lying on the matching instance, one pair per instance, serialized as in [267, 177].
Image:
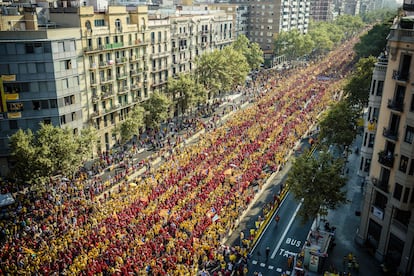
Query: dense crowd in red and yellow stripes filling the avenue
[171, 220]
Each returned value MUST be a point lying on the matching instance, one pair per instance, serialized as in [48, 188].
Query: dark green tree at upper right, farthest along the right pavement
[373, 42]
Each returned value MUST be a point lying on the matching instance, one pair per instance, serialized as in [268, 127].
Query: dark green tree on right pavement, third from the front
[357, 88]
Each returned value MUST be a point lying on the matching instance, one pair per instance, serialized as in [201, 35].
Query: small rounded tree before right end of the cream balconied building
[156, 108]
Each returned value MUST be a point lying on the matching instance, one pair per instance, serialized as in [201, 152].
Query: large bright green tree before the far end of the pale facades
[211, 71]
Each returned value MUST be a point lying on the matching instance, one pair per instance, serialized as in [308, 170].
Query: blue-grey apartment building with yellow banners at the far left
[41, 77]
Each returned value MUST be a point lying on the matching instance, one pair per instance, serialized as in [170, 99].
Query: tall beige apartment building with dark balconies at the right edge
[387, 219]
